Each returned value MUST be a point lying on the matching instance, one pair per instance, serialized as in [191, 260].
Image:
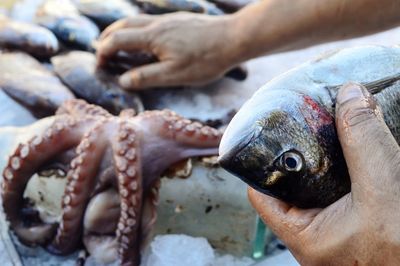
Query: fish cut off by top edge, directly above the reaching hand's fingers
[103, 13]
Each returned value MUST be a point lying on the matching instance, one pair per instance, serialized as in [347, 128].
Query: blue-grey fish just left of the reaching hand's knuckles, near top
[63, 19]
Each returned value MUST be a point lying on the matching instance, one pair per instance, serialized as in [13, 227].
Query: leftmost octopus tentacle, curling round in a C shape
[23, 163]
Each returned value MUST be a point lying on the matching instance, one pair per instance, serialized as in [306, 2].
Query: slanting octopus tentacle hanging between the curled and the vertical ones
[81, 180]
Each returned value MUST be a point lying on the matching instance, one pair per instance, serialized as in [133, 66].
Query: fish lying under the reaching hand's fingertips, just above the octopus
[77, 69]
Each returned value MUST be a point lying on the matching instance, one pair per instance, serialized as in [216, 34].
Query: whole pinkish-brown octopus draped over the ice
[108, 161]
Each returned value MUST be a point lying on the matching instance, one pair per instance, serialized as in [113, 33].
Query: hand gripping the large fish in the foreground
[361, 228]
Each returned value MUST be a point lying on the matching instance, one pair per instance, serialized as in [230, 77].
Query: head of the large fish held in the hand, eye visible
[284, 144]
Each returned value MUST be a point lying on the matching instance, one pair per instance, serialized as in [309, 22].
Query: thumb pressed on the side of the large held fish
[370, 150]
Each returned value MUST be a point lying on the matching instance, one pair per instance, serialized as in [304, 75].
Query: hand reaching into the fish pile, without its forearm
[191, 48]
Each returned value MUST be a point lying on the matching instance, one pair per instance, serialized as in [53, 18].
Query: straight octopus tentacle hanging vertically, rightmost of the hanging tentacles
[127, 166]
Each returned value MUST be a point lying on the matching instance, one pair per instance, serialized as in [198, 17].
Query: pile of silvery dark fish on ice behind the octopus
[47, 50]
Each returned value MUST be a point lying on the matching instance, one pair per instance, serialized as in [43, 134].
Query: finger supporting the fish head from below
[283, 219]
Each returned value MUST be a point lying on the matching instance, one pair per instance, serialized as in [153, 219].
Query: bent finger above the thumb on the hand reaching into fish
[124, 39]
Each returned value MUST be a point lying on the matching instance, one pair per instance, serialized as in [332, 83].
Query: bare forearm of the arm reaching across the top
[281, 25]
